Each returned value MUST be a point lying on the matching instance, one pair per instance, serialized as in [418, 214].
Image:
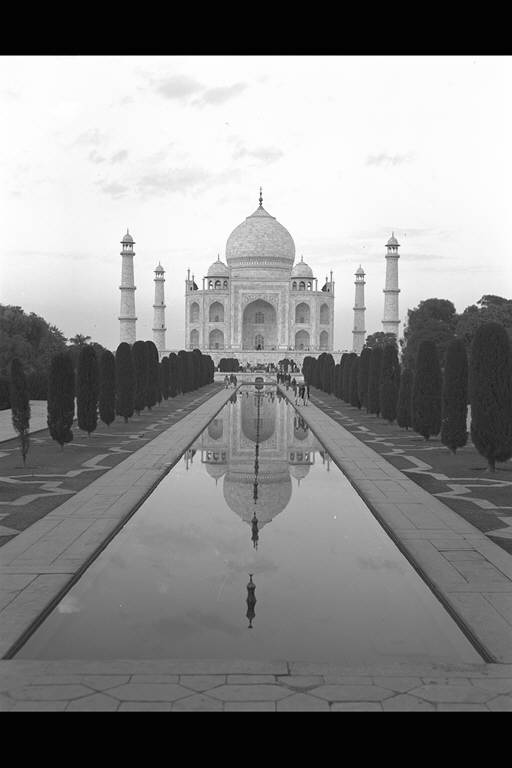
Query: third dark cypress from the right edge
[426, 393]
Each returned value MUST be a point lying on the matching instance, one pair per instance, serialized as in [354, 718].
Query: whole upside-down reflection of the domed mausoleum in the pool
[256, 445]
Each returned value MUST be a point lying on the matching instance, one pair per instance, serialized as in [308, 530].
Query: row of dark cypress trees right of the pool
[430, 392]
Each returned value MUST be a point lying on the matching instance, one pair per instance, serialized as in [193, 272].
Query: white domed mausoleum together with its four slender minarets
[260, 305]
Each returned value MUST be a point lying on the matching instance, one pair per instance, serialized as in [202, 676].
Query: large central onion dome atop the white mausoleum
[260, 242]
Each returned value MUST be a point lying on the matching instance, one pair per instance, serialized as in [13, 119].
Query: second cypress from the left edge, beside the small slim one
[61, 398]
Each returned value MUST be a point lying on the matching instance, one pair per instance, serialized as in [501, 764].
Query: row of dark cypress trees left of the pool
[105, 386]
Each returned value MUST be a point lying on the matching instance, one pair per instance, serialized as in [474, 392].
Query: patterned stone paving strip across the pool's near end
[251, 687]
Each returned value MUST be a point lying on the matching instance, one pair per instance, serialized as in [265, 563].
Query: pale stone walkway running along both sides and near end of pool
[466, 570]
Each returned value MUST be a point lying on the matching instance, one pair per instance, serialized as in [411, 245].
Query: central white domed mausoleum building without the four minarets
[259, 306]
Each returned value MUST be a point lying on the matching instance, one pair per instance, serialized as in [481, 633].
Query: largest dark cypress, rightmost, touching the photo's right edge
[490, 393]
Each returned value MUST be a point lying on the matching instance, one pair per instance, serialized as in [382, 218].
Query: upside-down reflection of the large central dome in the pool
[274, 493]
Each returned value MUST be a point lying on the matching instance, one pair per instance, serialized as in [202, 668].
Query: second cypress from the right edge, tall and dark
[455, 396]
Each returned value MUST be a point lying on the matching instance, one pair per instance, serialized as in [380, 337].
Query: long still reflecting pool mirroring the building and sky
[255, 546]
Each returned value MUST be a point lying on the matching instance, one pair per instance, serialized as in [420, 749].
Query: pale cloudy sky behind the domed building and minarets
[175, 148]
